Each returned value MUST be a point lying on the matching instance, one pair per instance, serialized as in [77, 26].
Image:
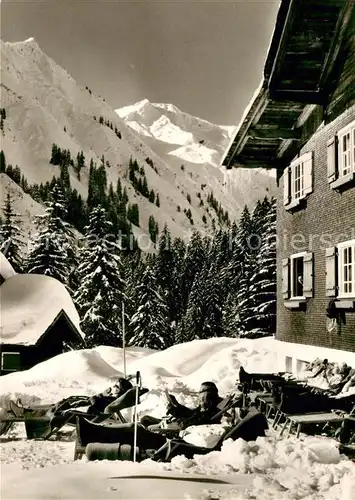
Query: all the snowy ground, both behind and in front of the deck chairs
[271, 468]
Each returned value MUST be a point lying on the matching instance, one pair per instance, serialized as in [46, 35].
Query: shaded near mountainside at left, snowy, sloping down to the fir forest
[44, 105]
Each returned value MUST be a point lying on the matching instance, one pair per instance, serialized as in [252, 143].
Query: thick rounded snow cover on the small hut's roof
[29, 305]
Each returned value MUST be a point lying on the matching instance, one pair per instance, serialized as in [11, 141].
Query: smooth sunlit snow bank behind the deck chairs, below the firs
[181, 369]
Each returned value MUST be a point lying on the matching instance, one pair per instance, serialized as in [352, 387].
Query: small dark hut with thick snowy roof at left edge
[38, 319]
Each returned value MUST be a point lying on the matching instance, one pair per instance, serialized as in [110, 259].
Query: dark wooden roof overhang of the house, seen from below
[302, 54]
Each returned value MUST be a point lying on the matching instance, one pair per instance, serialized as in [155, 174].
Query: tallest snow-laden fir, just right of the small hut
[101, 286]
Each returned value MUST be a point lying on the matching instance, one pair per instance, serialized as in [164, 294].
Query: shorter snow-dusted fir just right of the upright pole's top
[150, 324]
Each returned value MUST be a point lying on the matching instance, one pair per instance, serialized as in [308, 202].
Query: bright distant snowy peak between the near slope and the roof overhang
[182, 139]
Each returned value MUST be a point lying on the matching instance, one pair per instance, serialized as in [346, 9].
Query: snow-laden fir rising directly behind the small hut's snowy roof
[52, 251]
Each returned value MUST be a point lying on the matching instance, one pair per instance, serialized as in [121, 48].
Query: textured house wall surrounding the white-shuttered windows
[327, 212]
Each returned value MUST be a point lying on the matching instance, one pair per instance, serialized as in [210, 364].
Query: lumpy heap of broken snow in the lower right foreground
[282, 469]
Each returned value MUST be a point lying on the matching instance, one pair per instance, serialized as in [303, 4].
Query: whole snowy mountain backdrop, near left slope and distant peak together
[44, 105]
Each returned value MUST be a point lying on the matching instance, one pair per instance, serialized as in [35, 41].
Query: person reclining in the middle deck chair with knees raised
[183, 417]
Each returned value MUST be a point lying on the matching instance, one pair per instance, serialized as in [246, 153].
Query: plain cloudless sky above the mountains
[206, 57]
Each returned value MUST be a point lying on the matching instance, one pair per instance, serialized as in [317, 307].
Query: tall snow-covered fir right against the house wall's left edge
[250, 306]
